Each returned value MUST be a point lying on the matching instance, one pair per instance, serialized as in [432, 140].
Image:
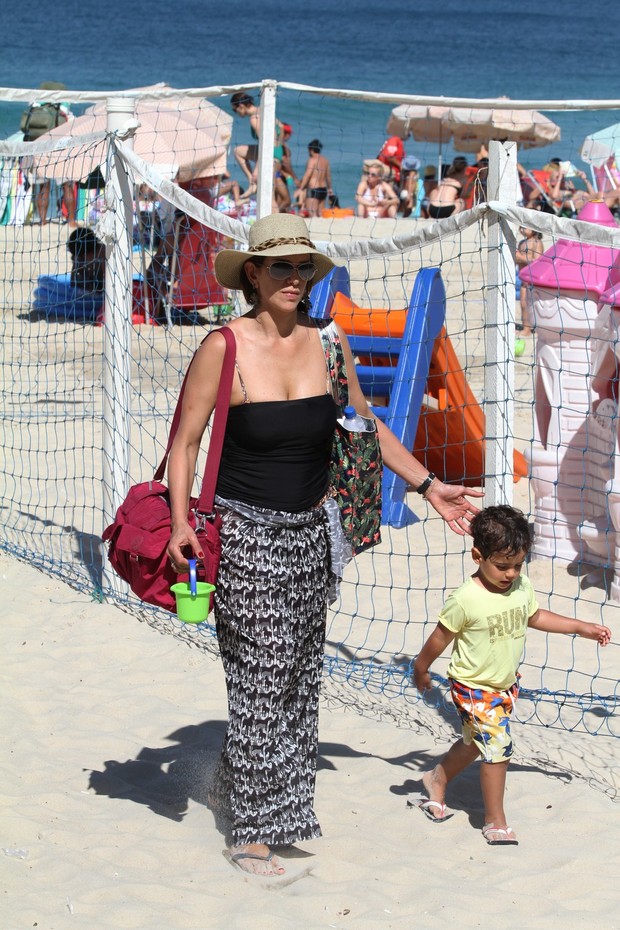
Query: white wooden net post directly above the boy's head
[500, 330]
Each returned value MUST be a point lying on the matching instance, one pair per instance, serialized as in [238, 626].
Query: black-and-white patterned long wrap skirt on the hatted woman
[270, 607]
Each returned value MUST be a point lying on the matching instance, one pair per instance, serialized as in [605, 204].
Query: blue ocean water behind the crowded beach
[527, 49]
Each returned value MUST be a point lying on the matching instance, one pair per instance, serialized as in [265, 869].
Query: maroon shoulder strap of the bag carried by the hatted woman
[216, 443]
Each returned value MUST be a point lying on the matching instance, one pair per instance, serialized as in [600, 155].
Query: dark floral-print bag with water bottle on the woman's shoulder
[356, 465]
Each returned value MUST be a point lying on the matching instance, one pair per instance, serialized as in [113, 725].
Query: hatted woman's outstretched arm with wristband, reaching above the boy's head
[450, 501]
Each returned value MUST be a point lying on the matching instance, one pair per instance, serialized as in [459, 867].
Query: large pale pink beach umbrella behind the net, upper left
[184, 137]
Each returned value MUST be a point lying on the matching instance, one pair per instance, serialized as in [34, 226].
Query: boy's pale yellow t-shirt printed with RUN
[490, 632]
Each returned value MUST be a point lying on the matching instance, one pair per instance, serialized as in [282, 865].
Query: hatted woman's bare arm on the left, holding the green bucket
[198, 403]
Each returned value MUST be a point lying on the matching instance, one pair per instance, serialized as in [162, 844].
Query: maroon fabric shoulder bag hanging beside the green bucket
[138, 538]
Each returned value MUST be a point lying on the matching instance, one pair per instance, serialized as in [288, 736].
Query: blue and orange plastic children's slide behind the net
[410, 373]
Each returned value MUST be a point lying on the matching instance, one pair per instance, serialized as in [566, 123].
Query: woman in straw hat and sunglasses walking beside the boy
[273, 497]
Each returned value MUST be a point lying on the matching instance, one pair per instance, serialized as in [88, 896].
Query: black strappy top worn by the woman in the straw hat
[276, 453]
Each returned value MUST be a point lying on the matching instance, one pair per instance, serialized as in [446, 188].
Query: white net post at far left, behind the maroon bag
[117, 332]
